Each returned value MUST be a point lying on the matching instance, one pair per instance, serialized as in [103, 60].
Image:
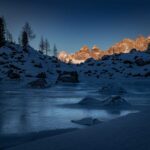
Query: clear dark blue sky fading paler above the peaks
[74, 23]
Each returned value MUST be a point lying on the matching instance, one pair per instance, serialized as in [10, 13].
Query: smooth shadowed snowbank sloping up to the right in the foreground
[80, 139]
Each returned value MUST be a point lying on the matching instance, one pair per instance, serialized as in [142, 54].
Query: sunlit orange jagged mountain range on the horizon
[125, 46]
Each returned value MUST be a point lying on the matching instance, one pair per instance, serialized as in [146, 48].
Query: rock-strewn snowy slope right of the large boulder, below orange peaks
[129, 65]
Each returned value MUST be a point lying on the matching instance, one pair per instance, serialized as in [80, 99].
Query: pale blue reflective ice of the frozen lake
[25, 110]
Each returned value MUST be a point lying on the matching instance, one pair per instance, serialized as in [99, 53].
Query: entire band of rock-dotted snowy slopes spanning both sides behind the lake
[17, 64]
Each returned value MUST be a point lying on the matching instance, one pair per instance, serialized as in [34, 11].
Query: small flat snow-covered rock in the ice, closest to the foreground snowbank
[87, 121]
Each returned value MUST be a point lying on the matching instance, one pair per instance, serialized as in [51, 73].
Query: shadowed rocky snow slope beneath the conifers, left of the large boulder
[26, 66]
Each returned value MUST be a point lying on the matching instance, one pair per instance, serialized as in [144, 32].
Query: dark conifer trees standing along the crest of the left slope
[24, 38]
